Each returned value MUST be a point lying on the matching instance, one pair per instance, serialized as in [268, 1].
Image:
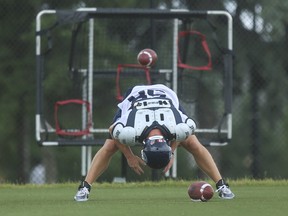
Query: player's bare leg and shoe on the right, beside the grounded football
[206, 163]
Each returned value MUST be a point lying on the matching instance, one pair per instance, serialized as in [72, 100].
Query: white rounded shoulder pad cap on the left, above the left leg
[125, 135]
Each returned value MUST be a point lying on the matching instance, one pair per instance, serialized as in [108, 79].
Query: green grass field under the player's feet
[146, 198]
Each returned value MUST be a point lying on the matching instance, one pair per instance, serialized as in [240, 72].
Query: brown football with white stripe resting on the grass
[200, 191]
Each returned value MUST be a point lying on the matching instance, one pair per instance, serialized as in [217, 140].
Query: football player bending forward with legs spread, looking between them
[151, 115]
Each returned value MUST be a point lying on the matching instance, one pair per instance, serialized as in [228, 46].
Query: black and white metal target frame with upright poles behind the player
[89, 14]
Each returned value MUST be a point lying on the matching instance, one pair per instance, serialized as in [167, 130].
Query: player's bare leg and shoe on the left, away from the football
[99, 164]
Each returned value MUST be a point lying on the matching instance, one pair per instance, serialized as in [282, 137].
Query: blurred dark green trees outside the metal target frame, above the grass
[260, 109]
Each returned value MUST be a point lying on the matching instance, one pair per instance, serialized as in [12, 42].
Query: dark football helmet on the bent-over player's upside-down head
[156, 152]
